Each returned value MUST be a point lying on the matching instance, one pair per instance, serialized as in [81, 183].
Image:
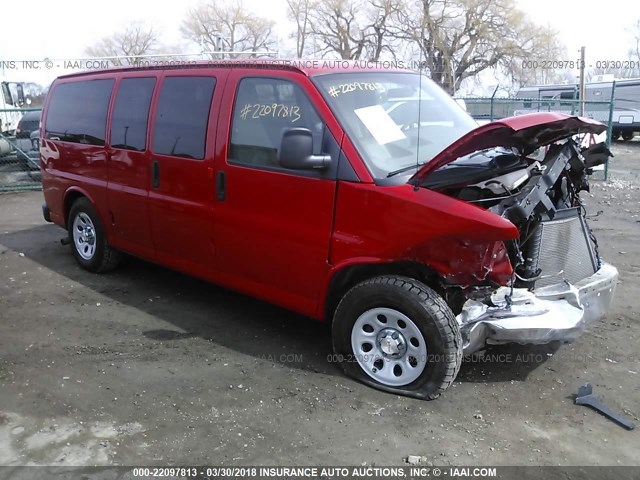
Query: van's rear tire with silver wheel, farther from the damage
[87, 239]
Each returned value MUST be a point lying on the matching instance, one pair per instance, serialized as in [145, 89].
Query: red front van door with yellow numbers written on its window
[273, 225]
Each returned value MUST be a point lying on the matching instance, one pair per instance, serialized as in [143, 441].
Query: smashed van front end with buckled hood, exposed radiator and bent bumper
[530, 171]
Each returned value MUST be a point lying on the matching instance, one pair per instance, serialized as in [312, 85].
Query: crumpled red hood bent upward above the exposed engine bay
[525, 132]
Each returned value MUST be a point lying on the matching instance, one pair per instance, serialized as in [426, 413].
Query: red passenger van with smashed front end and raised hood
[360, 196]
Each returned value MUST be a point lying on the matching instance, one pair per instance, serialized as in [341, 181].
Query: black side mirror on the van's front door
[296, 151]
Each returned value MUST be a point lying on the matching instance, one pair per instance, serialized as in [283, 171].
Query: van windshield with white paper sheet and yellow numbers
[396, 120]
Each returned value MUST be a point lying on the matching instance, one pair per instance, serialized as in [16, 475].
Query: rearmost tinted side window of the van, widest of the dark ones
[78, 111]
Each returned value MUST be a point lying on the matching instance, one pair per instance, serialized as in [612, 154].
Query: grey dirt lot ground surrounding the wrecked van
[148, 366]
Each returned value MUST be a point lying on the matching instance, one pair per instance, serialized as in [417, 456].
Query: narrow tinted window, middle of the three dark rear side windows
[131, 114]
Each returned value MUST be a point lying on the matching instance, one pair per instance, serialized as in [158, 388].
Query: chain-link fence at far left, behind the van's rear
[19, 150]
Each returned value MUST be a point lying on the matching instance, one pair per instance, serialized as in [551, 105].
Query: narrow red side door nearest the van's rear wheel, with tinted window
[129, 165]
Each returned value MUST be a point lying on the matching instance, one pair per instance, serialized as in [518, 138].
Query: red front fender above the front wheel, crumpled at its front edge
[379, 225]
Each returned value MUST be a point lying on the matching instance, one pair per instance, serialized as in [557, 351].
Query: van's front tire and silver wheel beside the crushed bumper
[414, 343]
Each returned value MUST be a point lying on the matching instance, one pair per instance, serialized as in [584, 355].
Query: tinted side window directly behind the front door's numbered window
[182, 116]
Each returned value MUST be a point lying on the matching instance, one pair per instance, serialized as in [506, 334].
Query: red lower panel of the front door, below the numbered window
[273, 232]
